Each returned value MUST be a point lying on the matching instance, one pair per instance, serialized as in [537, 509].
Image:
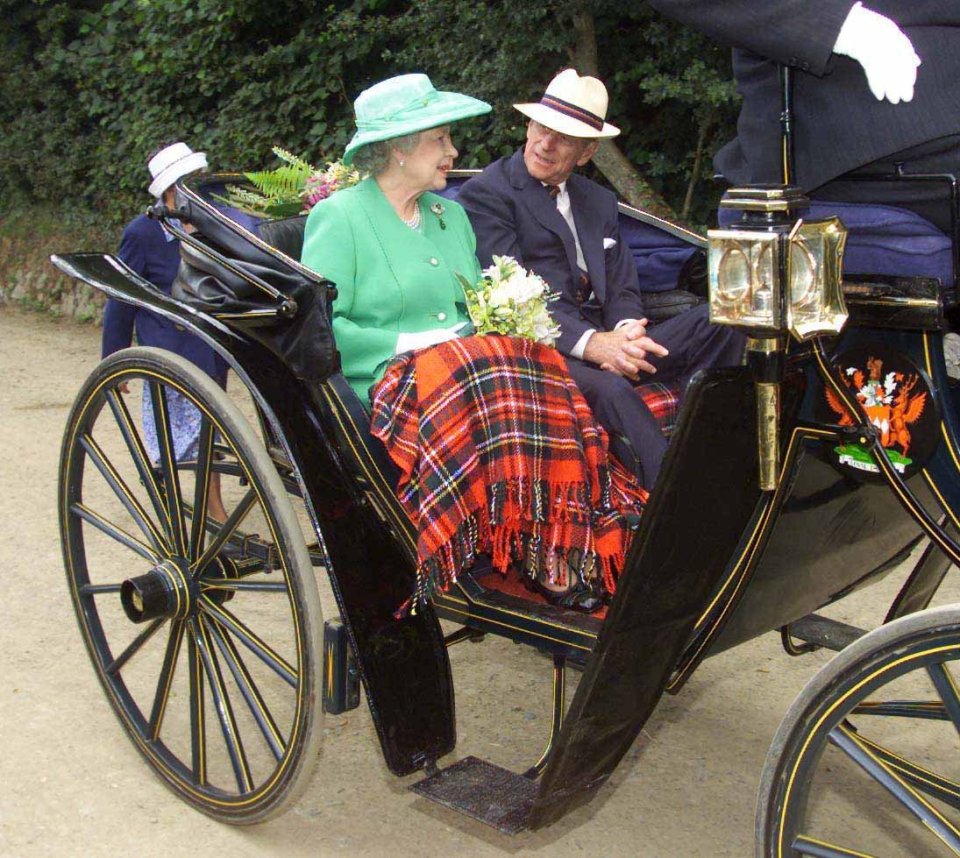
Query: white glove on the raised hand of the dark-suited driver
[884, 51]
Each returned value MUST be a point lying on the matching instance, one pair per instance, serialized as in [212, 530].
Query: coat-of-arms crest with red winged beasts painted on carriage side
[897, 398]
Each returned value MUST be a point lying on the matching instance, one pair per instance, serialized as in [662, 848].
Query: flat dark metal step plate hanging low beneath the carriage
[483, 791]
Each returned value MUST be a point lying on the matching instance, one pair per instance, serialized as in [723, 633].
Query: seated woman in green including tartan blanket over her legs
[497, 450]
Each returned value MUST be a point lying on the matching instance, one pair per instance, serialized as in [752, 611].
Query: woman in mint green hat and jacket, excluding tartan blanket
[392, 247]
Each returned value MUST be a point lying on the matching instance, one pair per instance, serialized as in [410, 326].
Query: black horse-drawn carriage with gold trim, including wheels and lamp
[777, 497]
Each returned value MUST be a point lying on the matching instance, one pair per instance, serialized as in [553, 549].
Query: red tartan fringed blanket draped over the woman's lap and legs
[499, 453]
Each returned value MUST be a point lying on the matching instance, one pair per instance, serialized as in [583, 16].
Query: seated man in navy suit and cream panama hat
[532, 205]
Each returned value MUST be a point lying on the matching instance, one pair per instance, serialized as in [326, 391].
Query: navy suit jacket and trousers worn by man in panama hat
[514, 215]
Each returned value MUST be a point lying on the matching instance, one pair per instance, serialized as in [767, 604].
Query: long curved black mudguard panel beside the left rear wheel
[403, 663]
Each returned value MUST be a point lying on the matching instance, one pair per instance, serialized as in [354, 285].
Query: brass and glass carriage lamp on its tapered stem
[772, 273]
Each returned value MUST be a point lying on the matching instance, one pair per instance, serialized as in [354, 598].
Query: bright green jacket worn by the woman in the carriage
[390, 279]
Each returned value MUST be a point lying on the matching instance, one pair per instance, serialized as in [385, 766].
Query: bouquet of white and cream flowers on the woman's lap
[512, 301]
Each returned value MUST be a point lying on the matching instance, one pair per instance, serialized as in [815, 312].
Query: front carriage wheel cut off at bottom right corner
[865, 761]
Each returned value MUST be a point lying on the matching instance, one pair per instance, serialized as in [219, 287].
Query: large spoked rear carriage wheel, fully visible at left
[204, 632]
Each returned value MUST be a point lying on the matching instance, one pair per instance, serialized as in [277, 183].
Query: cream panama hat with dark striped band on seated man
[573, 105]
